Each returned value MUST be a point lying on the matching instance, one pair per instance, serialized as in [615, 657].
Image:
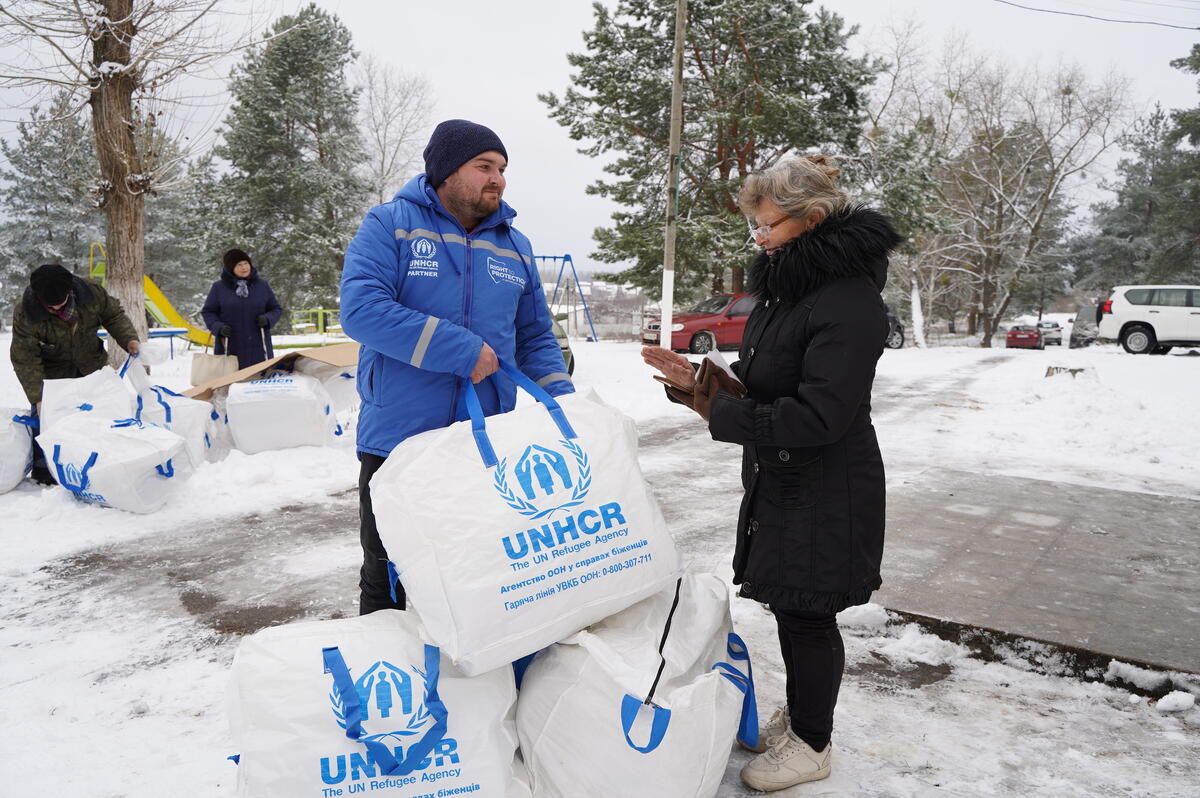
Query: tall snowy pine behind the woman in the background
[293, 148]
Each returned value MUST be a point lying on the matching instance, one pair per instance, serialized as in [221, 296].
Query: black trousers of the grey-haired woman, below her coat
[814, 658]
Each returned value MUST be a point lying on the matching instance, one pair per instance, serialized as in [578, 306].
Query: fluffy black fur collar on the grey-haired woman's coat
[853, 243]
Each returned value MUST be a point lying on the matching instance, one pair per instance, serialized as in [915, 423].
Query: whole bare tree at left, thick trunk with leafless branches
[123, 62]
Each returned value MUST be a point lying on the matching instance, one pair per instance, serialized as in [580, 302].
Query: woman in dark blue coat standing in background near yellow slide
[241, 311]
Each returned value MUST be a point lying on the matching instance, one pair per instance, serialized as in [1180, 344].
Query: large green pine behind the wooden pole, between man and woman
[763, 79]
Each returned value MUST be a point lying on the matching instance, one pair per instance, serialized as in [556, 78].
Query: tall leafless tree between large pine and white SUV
[1006, 148]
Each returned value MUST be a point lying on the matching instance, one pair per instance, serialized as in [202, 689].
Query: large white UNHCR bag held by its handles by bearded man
[513, 535]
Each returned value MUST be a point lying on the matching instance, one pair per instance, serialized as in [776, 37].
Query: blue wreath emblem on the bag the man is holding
[548, 481]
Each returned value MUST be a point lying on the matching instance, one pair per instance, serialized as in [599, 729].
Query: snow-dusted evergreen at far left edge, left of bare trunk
[50, 215]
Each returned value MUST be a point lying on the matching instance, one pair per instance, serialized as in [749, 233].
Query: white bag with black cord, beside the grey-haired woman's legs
[646, 704]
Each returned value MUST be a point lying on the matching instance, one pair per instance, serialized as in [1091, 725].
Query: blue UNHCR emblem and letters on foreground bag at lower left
[389, 698]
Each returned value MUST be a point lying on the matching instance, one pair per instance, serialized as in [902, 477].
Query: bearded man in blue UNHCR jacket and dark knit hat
[437, 287]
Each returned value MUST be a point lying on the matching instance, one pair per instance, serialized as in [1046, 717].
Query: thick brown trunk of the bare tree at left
[121, 165]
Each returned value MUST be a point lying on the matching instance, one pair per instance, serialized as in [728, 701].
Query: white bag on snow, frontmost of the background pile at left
[123, 465]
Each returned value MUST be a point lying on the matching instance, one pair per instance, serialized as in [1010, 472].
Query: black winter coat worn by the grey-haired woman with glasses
[811, 530]
